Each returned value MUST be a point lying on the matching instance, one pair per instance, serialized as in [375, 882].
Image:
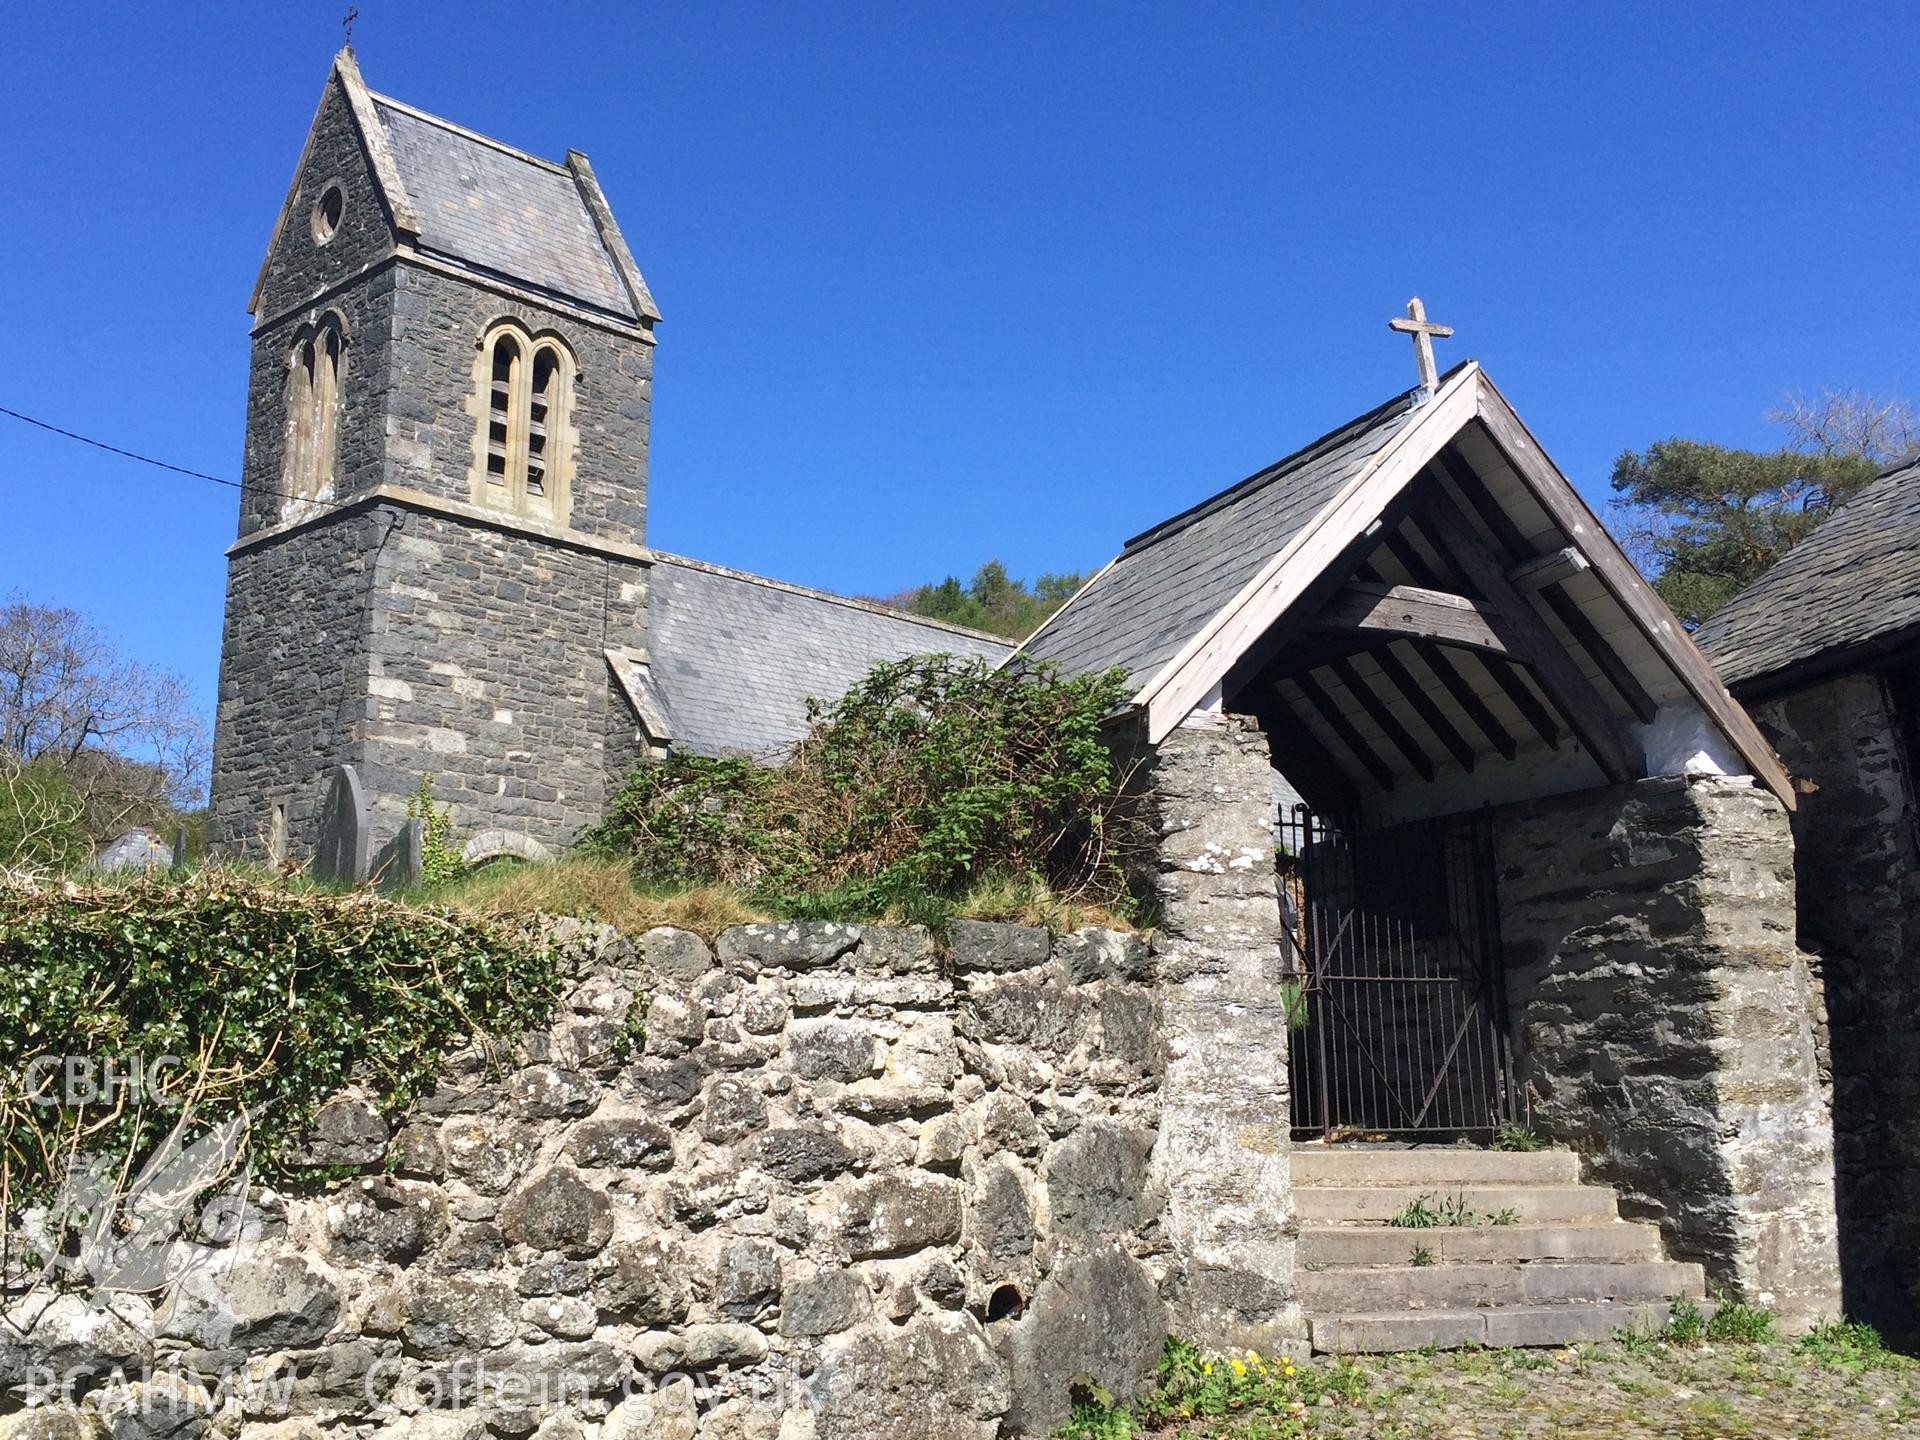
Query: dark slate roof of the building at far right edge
[1848, 587]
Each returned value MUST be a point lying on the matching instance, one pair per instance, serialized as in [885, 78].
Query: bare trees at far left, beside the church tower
[84, 729]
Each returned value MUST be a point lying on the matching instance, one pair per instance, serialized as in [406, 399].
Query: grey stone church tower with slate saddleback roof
[441, 564]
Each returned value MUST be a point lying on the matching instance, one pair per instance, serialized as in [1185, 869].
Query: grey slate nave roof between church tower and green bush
[736, 656]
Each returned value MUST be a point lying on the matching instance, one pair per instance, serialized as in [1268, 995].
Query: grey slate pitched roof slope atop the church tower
[500, 210]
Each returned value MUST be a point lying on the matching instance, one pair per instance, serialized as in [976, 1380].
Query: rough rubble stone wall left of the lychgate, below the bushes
[844, 1184]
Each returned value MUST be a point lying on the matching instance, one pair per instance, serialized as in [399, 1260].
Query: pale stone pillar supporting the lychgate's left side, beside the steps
[1222, 1153]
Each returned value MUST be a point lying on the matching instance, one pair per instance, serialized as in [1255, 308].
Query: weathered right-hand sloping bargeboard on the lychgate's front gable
[1627, 587]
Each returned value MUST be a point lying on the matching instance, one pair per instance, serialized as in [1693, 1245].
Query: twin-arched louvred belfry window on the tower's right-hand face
[525, 416]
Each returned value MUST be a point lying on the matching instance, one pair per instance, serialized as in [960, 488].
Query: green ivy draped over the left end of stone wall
[276, 999]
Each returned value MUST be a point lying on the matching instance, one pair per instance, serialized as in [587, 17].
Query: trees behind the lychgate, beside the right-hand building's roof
[1706, 521]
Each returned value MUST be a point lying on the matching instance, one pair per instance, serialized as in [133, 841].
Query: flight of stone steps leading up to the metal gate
[1562, 1266]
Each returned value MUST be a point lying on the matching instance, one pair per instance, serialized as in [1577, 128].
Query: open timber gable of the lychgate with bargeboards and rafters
[1418, 560]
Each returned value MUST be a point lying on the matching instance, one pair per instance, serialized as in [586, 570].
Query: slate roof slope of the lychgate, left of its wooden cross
[1170, 581]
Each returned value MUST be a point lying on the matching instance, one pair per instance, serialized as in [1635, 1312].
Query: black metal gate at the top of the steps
[1397, 992]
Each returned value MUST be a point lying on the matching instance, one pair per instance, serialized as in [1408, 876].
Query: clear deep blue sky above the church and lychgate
[949, 283]
